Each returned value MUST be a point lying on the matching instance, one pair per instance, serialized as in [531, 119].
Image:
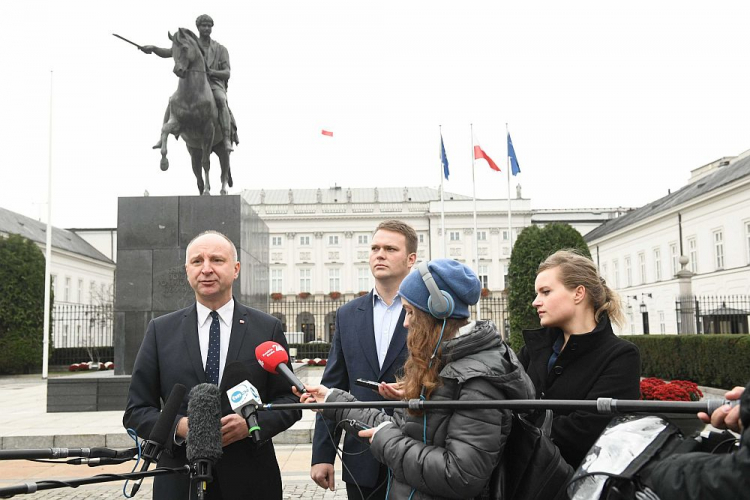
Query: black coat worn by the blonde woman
[594, 365]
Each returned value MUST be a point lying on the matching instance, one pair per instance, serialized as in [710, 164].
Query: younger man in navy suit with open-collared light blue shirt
[369, 342]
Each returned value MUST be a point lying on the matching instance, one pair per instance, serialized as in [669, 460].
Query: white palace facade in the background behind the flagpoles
[320, 238]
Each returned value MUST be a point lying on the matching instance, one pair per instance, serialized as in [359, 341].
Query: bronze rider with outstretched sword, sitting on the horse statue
[217, 70]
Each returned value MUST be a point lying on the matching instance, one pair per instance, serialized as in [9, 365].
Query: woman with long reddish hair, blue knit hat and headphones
[441, 453]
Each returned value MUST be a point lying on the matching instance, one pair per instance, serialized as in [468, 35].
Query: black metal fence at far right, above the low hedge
[713, 314]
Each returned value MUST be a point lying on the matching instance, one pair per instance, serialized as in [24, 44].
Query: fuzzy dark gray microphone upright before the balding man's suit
[204, 434]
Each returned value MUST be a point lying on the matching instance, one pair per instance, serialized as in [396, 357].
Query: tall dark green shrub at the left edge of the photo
[21, 305]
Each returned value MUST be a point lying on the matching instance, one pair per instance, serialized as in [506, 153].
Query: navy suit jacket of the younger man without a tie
[354, 355]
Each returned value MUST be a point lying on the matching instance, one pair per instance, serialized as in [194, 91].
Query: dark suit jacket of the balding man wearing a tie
[170, 354]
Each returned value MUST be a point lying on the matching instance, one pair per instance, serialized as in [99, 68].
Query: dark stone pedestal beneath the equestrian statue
[152, 234]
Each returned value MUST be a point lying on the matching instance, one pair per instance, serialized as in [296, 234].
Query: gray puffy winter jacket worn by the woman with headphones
[462, 447]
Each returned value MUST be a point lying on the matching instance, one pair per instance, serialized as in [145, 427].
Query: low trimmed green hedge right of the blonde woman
[709, 360]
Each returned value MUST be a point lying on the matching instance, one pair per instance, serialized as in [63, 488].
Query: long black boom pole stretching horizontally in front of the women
[603, 406]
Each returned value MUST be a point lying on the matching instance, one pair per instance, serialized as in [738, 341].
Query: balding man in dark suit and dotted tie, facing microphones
[192, 346]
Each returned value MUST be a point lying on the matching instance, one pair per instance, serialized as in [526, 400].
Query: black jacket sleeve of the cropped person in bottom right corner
[704, 476]
